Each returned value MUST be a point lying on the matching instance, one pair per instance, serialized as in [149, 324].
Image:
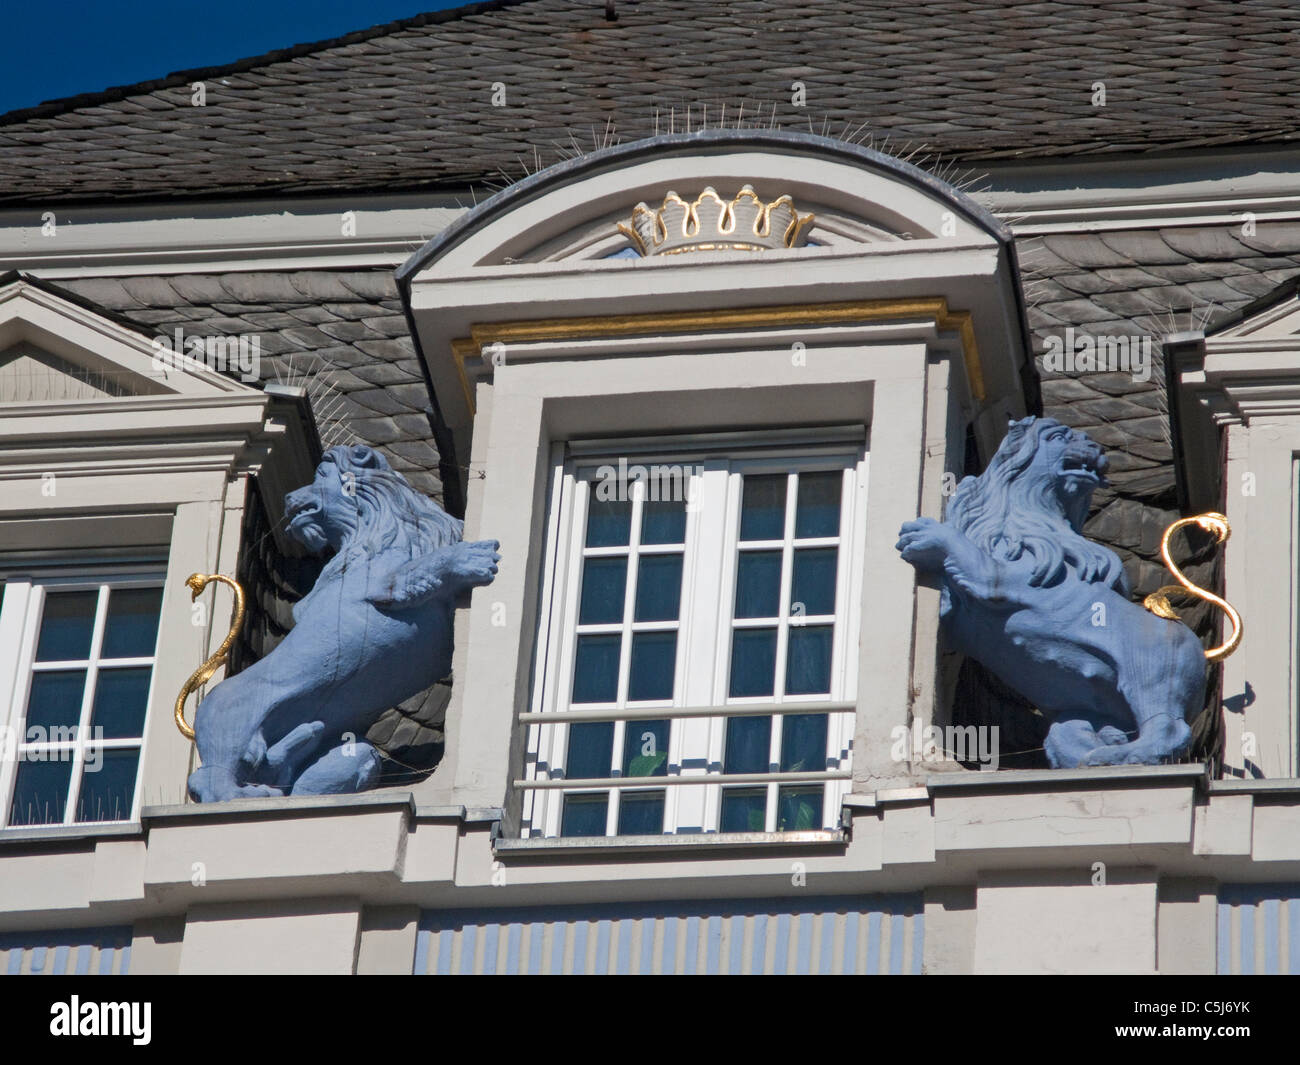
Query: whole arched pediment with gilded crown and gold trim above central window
[795, 233]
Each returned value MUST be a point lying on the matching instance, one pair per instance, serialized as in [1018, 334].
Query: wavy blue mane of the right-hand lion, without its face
[1012, 512]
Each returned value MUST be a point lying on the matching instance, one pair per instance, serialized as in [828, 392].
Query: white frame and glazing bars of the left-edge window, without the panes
[20, 627]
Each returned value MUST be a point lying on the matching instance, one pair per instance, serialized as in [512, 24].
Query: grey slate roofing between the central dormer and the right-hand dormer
[1143, 283]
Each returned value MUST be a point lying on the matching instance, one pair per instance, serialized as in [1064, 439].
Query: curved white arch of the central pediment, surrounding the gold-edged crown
[575, 210]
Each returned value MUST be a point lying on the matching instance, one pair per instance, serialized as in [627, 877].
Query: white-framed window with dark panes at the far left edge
[76, 670]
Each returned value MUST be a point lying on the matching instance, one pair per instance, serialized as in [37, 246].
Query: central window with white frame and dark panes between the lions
[699, 670]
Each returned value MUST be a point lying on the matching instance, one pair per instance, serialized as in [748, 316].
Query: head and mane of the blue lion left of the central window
[358, 505]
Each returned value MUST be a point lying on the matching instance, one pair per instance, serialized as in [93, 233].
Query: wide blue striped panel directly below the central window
[809, 934]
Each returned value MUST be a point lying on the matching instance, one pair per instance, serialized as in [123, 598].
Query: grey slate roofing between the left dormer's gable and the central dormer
[341, 334]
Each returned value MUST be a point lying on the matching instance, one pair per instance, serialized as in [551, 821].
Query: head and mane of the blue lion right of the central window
[1034, 500]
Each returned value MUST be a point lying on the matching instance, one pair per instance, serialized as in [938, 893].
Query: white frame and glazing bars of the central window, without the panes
[701, 704]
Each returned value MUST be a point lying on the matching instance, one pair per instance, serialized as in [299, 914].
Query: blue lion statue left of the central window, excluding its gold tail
[375, 630]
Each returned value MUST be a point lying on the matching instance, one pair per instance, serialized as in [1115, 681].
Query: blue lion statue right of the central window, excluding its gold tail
[1051, 613]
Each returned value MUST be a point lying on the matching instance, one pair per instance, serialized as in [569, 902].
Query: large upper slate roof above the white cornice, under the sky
[409, 106]
